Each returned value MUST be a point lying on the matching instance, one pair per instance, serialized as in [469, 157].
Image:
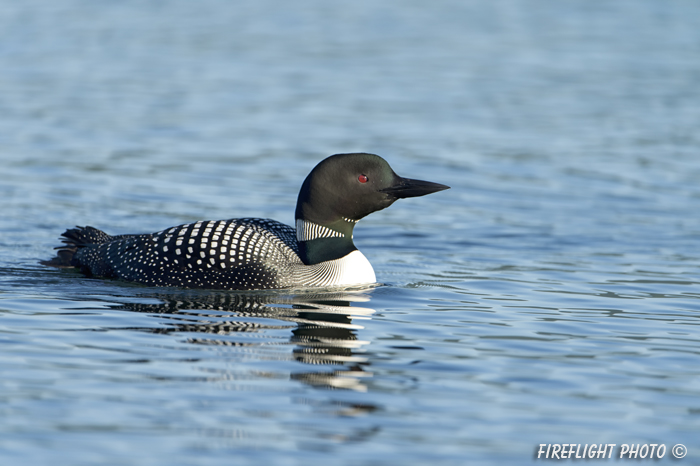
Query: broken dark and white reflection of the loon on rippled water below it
[325, 331]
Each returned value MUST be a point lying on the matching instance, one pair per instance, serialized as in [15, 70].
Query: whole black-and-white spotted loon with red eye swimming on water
[254, 253]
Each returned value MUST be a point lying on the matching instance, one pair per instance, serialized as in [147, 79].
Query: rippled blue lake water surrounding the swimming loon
[552, 295]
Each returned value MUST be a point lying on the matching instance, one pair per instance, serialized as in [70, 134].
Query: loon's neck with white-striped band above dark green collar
[321, 243]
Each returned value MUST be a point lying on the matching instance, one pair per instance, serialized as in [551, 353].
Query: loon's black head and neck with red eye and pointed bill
[341, 190]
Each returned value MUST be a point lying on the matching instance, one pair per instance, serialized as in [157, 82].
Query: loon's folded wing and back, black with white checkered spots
[238, 254]
